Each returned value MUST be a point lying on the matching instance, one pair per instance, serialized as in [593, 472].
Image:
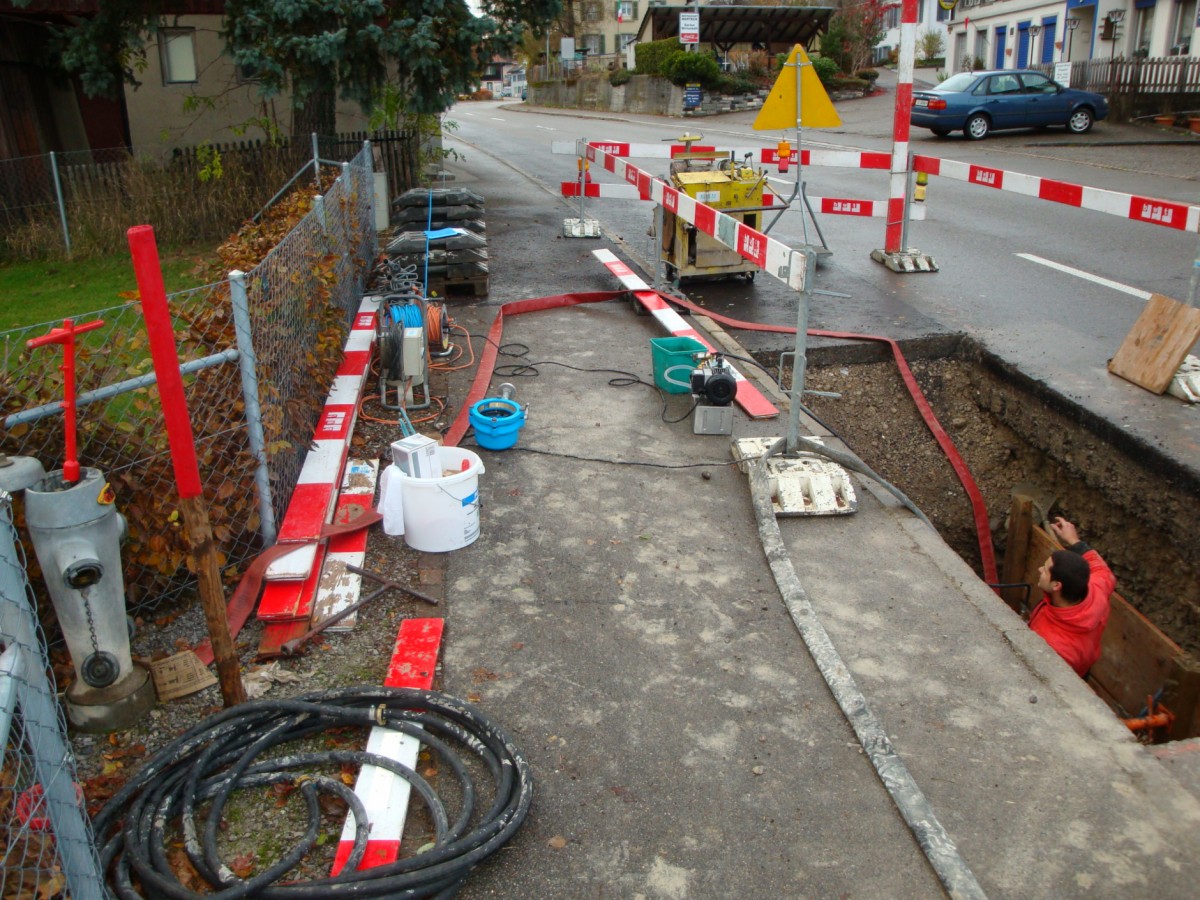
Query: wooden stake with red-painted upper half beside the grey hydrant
[183, 453]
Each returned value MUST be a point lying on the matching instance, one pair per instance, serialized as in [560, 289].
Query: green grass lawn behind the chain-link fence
[50, 291]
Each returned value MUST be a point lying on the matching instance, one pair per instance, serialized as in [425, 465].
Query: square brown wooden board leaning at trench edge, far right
[1157, 344]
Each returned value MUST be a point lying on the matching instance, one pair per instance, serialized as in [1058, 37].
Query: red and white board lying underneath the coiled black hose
[386, 796]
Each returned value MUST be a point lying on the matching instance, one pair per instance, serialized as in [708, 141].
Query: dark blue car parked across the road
[981, 103]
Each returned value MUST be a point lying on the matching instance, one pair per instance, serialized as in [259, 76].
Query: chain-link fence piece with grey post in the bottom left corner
[47, 848]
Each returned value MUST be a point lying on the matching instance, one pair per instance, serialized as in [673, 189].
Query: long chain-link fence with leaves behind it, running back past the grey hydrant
[249, 349]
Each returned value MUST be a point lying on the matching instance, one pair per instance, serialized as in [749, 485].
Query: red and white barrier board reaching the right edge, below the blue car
[1167, 214]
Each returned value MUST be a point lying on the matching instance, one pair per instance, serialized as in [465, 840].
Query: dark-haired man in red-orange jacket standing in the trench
[1077, 585]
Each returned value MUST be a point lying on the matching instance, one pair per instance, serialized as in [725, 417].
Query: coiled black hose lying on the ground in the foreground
[226, 753]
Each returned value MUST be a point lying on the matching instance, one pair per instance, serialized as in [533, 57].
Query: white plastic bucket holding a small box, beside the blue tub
[442, 514]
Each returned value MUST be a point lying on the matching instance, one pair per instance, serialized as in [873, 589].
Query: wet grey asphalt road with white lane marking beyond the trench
[1052, 290]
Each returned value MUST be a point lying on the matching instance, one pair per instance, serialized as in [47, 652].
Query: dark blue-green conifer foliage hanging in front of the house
[430, 51]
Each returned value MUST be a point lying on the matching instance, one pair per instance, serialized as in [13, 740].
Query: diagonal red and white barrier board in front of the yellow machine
[772, 256]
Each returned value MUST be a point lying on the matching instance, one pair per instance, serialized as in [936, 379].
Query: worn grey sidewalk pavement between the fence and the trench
[619, 617]
